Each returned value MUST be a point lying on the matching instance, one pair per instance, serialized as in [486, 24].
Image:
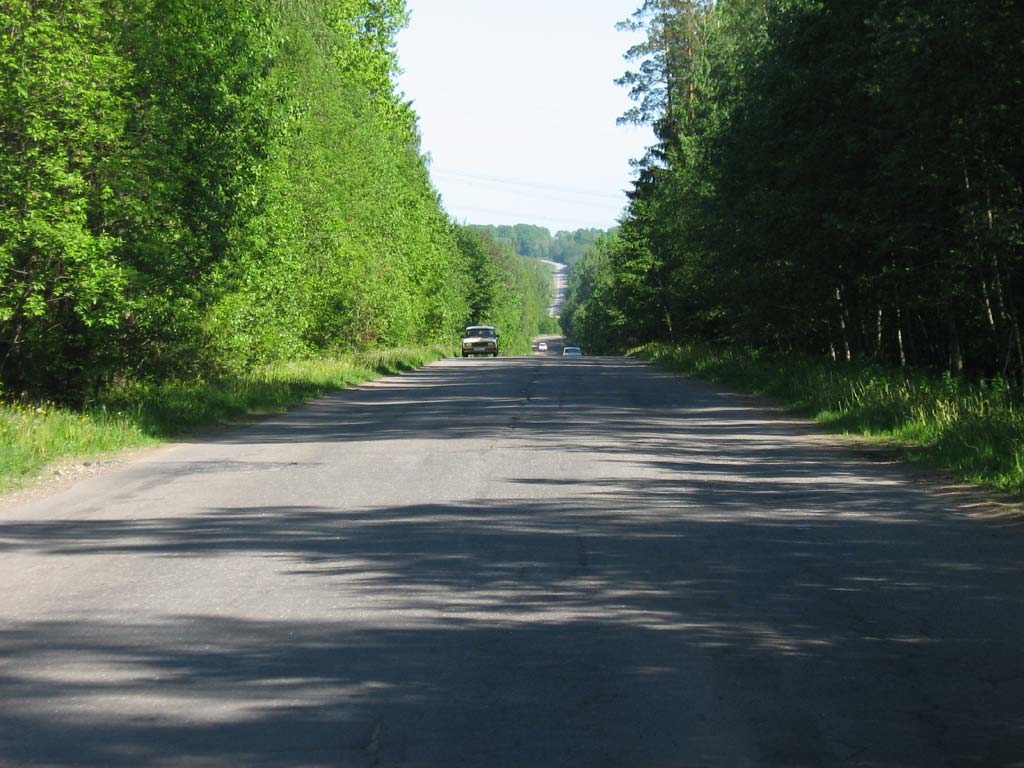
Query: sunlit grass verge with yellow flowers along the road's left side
[34, 437]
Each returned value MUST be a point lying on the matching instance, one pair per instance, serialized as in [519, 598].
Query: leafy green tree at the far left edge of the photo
[62, 119]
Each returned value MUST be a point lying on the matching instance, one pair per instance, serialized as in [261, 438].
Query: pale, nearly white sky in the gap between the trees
[518, 108]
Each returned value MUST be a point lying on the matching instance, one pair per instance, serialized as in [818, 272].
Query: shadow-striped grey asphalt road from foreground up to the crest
[530, 563]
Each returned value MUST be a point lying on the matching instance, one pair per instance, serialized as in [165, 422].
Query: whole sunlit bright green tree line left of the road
[194, 188]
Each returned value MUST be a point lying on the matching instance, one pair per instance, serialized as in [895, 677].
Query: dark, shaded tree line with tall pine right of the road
[842, 180]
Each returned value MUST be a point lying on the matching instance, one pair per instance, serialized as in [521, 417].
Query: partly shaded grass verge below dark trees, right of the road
[975, 430]
